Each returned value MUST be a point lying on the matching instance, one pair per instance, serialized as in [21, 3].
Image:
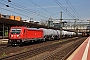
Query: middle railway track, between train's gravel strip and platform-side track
[36, 51]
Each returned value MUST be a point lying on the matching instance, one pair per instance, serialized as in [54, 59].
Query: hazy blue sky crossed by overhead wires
[39, 10]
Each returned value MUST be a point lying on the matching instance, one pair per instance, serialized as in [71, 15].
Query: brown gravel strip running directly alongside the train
[16, 49]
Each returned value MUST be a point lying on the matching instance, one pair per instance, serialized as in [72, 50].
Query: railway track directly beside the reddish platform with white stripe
[65, 52]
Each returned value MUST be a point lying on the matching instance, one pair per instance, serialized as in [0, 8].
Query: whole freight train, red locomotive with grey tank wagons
[20, 35]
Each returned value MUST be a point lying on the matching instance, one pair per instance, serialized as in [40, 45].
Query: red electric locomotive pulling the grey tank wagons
[20, 35]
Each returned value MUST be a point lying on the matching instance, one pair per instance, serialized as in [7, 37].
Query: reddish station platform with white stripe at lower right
[82, 52]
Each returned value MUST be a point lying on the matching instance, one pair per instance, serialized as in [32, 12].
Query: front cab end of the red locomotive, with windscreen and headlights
[15, 35]
